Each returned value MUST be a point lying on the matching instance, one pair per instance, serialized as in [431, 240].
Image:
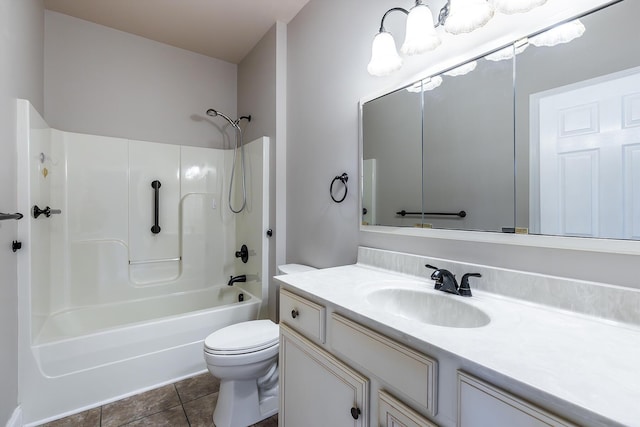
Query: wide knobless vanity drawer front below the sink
[409, 373]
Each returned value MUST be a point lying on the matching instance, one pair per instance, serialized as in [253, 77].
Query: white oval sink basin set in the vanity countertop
[428, 307]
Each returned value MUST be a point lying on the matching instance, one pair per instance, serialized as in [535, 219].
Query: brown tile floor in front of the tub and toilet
[187, 403]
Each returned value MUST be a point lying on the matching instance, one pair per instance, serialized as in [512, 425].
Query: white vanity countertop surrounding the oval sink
[589, 363]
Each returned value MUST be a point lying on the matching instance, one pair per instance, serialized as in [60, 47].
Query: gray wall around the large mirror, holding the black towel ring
[329, 48]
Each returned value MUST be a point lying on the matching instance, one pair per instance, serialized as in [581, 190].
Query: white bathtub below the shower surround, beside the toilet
[138, 344]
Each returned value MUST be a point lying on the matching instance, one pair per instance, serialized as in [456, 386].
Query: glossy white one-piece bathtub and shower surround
[101, 296]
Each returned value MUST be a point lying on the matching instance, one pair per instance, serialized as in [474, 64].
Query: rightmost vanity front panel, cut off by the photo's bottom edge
[482, 405]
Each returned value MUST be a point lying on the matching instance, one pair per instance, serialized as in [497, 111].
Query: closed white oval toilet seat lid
[252, 335]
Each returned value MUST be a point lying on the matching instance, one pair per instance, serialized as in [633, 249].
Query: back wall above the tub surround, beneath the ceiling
[106, 82]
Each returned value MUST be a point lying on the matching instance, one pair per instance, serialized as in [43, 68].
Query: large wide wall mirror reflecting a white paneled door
[542, 136]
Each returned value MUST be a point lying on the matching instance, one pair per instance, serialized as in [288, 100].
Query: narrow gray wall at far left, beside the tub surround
[21, 76]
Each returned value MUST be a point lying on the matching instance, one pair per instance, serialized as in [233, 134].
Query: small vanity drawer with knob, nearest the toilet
[302, 315]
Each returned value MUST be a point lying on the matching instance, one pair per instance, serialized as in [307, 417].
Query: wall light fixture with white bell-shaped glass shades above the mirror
[456, 16]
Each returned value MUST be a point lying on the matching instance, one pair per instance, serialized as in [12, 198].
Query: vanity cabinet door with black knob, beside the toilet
[316, 389]
